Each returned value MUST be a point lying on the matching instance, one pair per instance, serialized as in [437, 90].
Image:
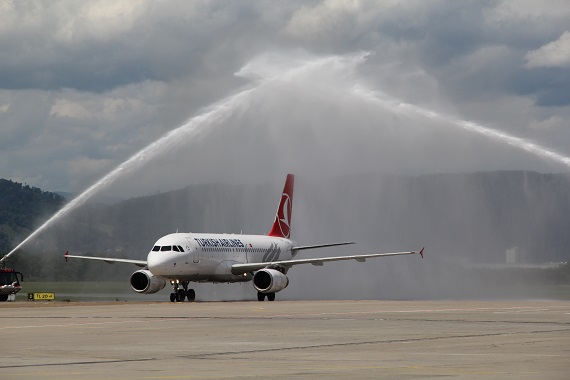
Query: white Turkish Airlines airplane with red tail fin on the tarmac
[181, 258]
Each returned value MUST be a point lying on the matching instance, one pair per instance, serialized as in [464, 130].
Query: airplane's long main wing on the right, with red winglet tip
[251, 267]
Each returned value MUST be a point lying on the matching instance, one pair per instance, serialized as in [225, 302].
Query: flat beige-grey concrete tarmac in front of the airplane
[286, 339]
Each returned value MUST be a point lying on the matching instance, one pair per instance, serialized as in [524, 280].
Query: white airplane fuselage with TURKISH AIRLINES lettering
[209, 257]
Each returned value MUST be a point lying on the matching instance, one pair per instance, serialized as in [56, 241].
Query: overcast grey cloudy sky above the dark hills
[268, 87]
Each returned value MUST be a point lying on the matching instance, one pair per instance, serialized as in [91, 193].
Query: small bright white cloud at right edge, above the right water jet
[553, 54]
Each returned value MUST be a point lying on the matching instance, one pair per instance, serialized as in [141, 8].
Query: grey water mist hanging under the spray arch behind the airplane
[359, 169]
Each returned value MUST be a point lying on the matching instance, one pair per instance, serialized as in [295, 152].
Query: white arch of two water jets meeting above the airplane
[283, 74]
